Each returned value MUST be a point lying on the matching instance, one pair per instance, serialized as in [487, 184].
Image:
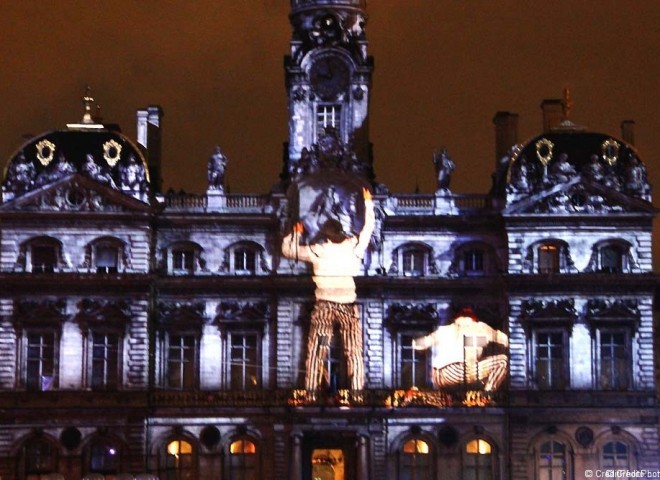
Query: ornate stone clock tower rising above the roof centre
[328, 79]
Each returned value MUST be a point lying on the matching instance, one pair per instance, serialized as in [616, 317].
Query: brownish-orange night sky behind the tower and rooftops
[443, 68]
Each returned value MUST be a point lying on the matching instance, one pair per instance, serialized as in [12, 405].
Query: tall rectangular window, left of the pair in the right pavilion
[550, 360]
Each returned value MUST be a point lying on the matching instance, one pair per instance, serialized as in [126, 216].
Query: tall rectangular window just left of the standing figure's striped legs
[245, 366]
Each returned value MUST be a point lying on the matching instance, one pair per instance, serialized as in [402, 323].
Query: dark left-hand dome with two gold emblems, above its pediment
[102, 154]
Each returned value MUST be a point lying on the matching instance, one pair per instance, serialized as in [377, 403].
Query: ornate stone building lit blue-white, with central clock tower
[163, 335]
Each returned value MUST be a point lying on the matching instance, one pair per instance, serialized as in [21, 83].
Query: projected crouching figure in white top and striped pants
[467, 353]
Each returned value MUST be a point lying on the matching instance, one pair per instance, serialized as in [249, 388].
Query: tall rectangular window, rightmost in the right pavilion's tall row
[614, 365]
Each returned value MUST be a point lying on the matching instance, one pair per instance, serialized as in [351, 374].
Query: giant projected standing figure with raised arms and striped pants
[335, 262]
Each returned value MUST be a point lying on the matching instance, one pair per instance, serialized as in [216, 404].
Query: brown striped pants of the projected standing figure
[324, 317]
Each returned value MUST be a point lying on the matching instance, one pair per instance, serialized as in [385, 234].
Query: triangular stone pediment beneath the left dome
[75, 193]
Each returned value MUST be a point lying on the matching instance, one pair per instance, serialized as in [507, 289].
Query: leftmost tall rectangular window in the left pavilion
[40, 372]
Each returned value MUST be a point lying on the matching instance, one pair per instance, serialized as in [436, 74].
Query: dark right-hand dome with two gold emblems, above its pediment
[568, 152]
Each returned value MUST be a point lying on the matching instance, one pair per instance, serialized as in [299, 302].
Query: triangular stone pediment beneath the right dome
[577, 196]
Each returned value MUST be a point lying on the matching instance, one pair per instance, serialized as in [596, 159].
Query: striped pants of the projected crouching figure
[491, 371]
